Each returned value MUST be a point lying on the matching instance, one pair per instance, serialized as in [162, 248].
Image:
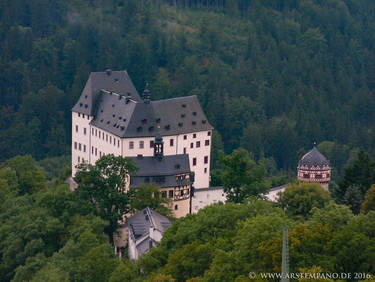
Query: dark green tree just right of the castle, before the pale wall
[241, 176]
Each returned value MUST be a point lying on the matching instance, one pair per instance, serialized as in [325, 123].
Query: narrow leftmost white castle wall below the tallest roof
[80, 139]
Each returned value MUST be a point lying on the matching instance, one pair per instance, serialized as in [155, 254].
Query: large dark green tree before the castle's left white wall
[103, 187]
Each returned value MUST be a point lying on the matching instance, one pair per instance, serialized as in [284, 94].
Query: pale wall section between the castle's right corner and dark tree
[206, 197]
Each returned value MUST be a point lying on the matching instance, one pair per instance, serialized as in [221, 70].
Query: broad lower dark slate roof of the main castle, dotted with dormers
[168, 117]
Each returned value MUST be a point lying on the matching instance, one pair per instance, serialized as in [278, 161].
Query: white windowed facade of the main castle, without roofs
[89, 143]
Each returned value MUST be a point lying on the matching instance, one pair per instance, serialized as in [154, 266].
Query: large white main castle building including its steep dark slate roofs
[111, 118]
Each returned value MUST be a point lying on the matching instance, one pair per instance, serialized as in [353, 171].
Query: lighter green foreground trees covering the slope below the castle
[49, 233]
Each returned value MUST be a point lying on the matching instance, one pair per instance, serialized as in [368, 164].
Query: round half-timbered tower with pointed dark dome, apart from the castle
[314, 167]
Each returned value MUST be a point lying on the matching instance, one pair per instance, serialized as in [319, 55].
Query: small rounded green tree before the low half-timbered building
[148, 195]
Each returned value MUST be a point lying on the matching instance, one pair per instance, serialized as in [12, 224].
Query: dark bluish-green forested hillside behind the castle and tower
[272, 76]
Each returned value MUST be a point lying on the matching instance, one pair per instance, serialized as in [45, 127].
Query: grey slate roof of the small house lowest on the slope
[140, 223]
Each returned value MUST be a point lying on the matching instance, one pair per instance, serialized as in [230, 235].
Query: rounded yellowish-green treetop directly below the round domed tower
[299, 198]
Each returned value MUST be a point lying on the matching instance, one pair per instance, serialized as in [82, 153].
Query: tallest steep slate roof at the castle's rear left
[112, 81]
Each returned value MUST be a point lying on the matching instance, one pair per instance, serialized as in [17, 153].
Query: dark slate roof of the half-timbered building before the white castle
[154, 168]
